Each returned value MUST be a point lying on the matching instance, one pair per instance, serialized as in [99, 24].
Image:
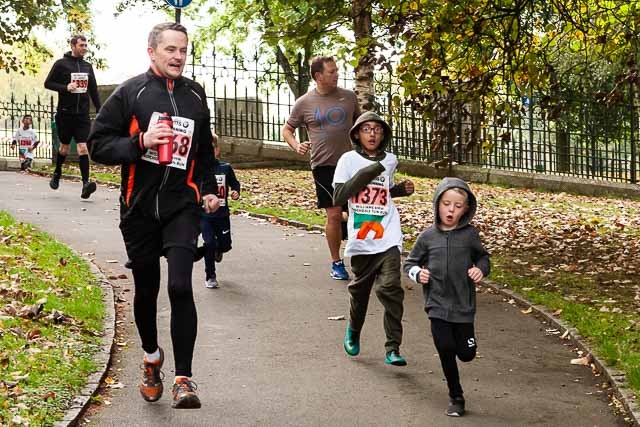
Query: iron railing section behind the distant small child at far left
[11, 112]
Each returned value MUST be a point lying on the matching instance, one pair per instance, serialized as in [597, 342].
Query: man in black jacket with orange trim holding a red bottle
[160, 205]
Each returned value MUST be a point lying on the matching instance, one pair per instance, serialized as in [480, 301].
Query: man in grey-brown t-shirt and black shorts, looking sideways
[328, 113]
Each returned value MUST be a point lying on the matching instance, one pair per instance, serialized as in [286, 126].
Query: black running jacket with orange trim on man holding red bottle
[116, 138]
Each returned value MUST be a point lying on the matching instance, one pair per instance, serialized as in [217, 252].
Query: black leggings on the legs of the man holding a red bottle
[184, 320]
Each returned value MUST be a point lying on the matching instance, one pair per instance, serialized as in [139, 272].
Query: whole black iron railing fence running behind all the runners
[250, 98]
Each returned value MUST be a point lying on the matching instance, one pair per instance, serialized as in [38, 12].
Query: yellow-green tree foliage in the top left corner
[20, 50]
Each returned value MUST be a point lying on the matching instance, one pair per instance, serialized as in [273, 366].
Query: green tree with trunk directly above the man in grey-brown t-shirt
[291, 33]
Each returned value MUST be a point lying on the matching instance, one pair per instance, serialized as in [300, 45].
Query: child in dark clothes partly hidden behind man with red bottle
[216, 227]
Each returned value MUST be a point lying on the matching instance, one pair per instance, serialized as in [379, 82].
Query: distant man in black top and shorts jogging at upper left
[73, 78]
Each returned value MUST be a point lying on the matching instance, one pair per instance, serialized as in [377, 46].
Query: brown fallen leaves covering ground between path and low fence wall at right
[564, 240]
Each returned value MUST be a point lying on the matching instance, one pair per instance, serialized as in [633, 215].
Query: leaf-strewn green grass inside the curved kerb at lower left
[44, 362]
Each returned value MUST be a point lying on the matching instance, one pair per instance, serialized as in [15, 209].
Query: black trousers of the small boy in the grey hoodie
[453, 340]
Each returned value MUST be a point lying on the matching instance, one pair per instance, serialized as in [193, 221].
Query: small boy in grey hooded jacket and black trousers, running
[448, 260]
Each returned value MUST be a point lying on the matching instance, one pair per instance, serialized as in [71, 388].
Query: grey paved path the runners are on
[267, 354]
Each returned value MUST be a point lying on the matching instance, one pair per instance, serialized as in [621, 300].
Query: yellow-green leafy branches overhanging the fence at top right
[454, 55]
